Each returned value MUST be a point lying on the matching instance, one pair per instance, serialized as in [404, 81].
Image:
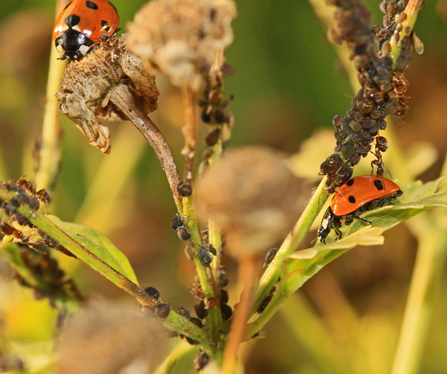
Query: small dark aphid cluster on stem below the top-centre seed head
[215, 108]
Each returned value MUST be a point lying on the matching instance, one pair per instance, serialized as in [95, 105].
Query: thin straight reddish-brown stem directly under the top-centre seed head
[190, 133]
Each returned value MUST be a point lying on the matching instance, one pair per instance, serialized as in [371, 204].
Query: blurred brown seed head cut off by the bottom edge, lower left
[118, 337]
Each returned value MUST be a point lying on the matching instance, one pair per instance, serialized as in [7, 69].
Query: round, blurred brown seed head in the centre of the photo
[252, 196]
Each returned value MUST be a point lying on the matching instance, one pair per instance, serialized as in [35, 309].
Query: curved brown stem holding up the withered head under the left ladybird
[123, 99]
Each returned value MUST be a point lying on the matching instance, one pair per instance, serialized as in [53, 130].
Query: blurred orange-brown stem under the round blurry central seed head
[246, 275]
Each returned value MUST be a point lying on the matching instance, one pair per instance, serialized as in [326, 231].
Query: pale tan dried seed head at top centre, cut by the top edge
[181, 37]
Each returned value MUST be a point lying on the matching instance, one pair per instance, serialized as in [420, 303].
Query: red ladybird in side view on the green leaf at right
[354, 198]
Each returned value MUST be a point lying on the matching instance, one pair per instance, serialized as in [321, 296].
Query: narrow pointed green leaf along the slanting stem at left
[99, 245]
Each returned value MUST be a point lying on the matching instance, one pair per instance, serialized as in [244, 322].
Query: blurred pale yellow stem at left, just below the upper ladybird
[50, 151]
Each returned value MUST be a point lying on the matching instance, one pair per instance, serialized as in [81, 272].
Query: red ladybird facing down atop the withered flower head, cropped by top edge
[81, 24]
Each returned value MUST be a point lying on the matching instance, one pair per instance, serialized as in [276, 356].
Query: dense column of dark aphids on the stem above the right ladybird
[381, 93]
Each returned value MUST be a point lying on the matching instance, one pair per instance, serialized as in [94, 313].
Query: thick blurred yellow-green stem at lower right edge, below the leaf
[425, 281]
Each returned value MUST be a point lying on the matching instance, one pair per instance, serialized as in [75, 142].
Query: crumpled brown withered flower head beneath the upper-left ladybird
[87, 87]
